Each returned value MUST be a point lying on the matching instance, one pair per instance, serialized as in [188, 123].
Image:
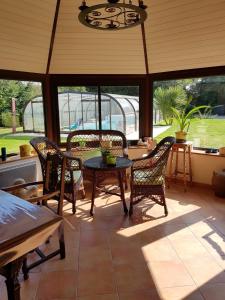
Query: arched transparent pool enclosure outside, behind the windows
[79, 110]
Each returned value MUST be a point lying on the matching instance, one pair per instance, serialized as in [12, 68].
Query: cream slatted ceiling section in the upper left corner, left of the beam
[25, 32]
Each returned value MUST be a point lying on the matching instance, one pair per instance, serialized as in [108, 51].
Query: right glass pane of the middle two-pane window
[120, 109]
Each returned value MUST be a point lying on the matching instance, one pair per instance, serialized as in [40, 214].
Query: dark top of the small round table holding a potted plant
[96, 163]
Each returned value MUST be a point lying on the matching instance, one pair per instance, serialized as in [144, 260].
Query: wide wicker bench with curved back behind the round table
[86, 144]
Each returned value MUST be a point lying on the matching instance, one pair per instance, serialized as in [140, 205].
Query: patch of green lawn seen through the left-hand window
[12, 142]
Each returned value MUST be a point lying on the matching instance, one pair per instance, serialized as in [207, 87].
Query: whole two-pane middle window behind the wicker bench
[115, 107]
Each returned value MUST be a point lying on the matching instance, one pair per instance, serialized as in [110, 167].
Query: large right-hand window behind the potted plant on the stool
[207, 126]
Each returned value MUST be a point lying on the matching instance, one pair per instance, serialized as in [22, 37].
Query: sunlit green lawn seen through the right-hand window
[203, 132]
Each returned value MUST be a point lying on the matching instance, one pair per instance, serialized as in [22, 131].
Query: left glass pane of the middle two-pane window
[78, 109]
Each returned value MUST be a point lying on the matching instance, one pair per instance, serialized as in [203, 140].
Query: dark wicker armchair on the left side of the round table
[73, 177]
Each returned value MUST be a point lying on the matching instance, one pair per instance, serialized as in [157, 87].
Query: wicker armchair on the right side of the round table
[148, 175]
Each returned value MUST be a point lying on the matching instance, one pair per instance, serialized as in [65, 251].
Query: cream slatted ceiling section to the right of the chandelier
[184, 34]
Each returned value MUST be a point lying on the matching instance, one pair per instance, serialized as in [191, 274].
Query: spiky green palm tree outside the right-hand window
[166, 98]
